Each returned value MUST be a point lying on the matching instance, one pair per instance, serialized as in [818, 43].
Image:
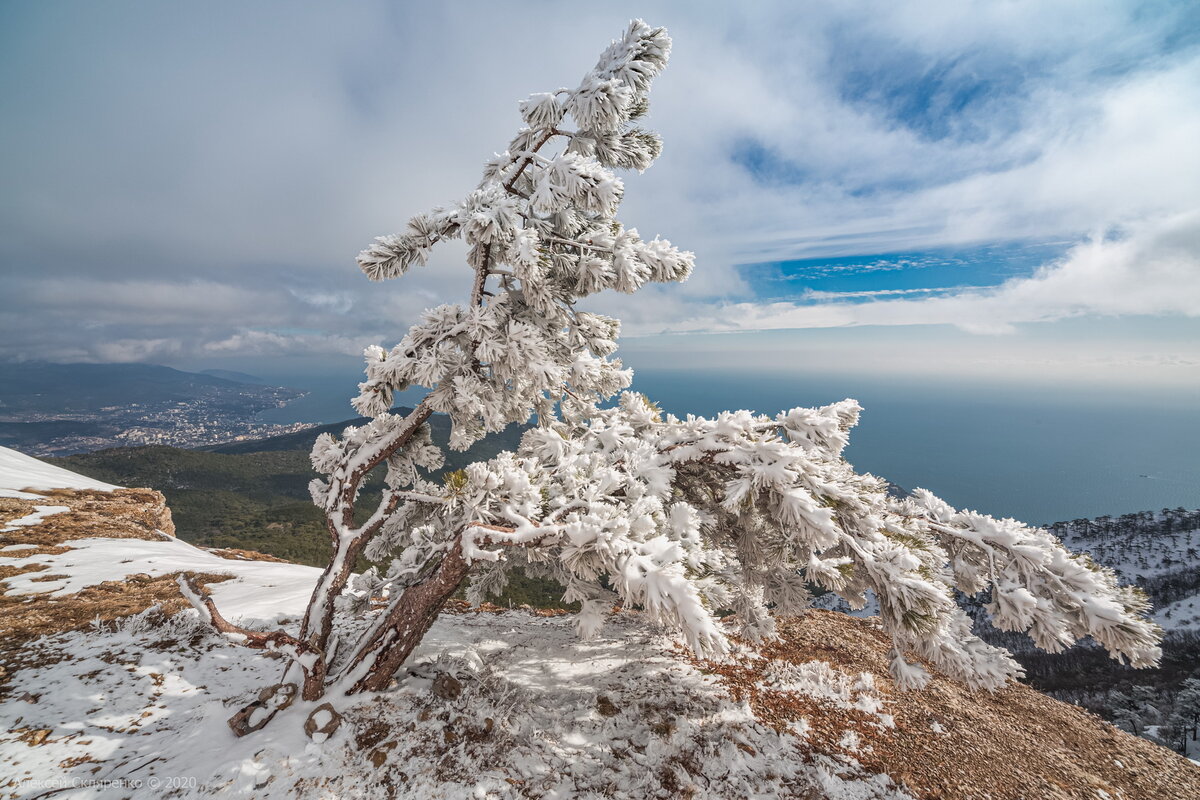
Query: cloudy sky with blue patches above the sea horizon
[1007, 190]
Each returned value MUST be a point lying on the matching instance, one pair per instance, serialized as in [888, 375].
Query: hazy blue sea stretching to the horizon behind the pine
[1035, 453]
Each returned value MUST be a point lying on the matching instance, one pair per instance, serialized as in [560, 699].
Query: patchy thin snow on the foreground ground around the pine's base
[143, 711]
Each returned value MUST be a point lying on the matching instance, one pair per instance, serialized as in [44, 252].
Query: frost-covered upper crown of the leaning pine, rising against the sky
[542, 225]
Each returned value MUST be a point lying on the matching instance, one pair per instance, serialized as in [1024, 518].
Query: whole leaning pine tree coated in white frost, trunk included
[685, 519]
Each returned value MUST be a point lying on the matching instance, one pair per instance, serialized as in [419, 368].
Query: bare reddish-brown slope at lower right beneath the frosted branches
[1011, 744]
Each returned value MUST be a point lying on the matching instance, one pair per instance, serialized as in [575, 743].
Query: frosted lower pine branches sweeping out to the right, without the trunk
[747, 513]
